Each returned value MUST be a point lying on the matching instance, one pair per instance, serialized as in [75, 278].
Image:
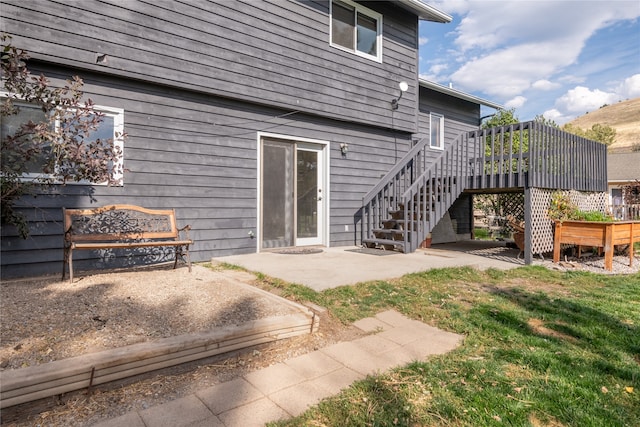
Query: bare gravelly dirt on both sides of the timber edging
[45, 320]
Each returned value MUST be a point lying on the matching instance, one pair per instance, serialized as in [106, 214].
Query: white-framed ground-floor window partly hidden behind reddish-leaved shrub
[111, 127]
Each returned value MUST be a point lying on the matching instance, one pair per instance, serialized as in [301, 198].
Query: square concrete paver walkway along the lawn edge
[289, 388]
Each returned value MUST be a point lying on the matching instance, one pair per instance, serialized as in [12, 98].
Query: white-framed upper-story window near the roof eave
[356, 29]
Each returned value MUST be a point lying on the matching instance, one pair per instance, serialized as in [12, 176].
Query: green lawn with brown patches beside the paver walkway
[541, 348]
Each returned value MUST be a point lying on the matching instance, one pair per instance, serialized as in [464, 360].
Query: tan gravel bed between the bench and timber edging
[47, 320]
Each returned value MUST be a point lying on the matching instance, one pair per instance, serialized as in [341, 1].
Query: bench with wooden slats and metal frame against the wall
[122, 226]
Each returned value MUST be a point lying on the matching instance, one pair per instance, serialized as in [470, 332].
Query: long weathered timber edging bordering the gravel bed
[62, 376]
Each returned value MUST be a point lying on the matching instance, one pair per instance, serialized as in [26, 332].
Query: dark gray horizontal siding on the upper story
[275, 52]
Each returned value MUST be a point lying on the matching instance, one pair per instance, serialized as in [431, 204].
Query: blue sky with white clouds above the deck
[557, 58]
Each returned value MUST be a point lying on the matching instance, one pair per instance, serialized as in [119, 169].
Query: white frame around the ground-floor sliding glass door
[324, 154]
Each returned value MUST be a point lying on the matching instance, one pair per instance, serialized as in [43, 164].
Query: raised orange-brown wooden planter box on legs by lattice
[599, 234]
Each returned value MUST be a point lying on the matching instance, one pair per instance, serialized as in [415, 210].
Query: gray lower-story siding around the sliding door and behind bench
[197, 153]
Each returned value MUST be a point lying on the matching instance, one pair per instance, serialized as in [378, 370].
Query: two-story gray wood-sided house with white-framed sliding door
[267, 124]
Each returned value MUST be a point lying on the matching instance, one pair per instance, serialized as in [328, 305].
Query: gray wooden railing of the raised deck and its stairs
[520, 155]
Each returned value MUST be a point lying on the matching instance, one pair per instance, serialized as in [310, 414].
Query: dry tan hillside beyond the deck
[624, 117]
